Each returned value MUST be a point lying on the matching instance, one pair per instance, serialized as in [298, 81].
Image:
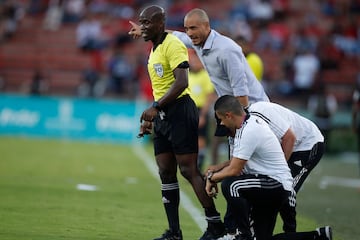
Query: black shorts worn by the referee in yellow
[177, 131]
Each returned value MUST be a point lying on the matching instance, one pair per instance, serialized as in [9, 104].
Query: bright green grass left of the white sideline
[39, 199]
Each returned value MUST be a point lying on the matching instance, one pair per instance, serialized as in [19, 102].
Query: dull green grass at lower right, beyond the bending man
[336, 206]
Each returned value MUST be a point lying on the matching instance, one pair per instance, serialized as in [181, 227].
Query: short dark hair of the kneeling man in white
[228, 103]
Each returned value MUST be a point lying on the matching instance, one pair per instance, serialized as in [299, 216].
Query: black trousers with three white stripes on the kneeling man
[258, 197]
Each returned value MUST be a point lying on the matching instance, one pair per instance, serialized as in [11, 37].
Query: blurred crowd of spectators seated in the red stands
[300, 38]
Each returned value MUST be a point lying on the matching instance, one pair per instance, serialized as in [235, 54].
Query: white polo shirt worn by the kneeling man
[256, 143]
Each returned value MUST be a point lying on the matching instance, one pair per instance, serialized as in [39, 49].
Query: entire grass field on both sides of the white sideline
[44, 189]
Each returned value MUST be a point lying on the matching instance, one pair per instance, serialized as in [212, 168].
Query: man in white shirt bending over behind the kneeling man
[302, 144]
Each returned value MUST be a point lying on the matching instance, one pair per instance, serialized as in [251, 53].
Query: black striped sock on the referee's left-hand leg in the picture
[171, 199]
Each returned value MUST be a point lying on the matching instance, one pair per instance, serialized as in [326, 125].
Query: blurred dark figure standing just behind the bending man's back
[323, 106]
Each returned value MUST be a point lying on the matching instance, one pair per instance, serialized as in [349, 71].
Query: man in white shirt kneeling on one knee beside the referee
[256, 180]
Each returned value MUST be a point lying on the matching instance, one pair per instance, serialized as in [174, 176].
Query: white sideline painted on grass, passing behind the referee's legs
[185, 202]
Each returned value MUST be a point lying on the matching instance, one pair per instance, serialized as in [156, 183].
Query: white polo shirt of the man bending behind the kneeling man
[280, 119]
